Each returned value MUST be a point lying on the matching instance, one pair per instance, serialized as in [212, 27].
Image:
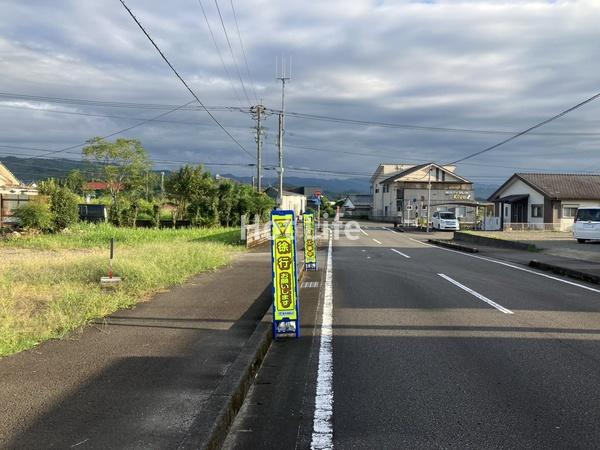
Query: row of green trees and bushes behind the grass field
[134, 192]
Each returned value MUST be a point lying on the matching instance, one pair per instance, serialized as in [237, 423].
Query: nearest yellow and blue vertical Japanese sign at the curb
[286, 310]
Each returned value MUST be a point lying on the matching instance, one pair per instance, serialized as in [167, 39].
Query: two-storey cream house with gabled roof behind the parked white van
[402, 192]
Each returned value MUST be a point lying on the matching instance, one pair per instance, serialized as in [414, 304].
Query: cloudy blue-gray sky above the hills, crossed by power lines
[487, 66]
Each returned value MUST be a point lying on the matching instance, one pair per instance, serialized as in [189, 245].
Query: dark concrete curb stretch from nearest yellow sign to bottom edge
[210, 427]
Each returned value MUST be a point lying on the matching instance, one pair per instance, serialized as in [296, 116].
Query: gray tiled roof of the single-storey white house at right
[559, 186]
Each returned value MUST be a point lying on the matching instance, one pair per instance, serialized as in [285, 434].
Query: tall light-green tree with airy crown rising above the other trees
[125, 164]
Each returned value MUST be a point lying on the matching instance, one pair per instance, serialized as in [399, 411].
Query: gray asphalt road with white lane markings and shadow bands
[431, 349]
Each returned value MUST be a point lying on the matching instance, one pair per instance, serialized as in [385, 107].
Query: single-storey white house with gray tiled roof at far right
[544, 200]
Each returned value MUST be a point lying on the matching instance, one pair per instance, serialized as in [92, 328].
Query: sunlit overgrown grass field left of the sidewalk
[49, 284]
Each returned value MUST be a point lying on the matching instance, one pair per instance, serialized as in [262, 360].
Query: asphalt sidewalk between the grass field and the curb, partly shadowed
[140, 378]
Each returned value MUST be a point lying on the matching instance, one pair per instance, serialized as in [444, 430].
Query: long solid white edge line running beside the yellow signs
[322, 436]
